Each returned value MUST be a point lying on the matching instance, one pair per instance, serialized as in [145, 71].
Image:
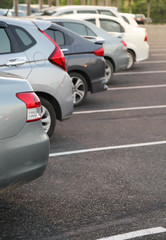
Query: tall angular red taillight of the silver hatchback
[57, 56]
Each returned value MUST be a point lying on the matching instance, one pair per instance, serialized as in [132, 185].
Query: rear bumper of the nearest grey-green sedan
[23, 157]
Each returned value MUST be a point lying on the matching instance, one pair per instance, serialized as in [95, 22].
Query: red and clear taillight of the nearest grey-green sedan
[33, 105]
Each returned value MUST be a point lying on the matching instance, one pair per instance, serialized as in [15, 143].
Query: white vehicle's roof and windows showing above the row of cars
[79, 9]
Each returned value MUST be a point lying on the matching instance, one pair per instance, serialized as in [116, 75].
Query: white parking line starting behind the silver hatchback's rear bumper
[119, 109]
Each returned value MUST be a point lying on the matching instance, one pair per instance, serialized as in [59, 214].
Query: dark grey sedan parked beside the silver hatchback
[84, 60]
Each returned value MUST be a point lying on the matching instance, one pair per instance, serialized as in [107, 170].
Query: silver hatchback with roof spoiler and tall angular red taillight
[26, 51]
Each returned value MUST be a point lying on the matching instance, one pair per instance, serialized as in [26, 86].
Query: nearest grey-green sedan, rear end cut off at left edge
[24, 145]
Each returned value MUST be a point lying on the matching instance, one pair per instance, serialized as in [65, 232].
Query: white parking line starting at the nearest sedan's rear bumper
[107, 148]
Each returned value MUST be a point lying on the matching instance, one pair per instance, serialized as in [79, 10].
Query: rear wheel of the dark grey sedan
[80, 88]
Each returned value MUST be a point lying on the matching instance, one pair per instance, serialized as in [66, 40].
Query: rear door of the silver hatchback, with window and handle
[14, 41]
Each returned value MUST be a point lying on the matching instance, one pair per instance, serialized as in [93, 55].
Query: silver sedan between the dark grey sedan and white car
[115, 49]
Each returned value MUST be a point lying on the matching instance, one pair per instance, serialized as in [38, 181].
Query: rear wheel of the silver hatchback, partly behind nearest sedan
[48, 116]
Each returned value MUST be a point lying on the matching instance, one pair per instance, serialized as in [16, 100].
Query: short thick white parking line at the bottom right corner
[139, 233]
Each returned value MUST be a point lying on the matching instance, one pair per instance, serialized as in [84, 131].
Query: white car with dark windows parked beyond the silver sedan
[136, 38]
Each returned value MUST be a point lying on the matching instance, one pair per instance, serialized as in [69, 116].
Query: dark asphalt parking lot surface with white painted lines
[105, 177]
